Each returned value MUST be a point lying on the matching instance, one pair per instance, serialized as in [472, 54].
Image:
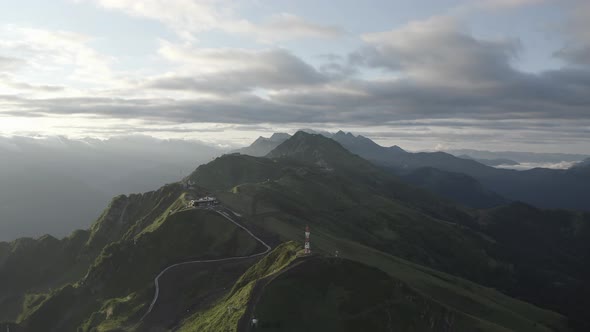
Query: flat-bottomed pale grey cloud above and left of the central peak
[233, 70]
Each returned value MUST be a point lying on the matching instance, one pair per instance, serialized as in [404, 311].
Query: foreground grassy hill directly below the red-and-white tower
[290, 293]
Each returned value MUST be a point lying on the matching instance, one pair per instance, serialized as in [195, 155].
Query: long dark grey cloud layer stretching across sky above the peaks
[434, 70]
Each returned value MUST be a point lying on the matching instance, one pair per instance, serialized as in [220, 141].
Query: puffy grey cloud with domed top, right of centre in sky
[439, 51]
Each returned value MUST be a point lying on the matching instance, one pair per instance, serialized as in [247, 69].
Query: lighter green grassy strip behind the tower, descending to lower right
[460, 295]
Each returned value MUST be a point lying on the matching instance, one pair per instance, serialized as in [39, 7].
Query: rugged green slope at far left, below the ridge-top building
[37, 265]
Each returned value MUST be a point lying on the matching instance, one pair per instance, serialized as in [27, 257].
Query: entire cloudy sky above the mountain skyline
[423, 74]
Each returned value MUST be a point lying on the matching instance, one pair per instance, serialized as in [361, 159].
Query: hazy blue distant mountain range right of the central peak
[468, 181]
